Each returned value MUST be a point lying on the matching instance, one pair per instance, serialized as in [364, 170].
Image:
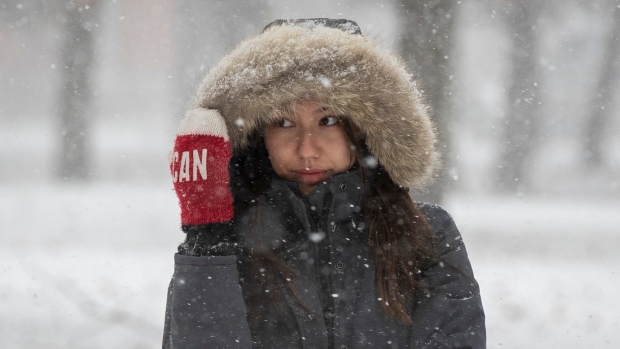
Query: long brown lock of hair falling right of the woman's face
[399, 236]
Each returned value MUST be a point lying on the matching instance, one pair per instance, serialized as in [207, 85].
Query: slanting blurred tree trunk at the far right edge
[601, 113]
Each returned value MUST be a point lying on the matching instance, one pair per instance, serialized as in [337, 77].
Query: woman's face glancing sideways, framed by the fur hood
[308, 146]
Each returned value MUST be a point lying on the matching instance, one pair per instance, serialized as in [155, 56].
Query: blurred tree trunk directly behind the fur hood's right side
[426, 44]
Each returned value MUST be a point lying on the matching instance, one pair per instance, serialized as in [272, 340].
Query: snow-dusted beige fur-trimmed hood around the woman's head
[348, 73]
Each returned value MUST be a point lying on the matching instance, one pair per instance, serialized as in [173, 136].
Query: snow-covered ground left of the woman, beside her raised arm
[85, 267]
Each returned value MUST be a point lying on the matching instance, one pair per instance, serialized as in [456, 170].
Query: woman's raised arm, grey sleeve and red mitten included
[205, 307]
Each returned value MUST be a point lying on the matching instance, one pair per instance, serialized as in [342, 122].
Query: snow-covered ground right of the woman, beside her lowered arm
[548, 270]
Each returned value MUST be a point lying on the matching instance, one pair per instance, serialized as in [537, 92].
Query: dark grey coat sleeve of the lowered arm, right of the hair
[449, 313]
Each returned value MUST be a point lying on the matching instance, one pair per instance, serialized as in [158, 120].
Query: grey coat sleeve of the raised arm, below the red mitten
[205, 307]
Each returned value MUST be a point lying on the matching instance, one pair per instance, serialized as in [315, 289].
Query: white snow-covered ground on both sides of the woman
[88, 266]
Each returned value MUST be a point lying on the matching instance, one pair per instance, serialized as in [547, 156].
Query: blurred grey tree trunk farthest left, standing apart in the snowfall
[79, 19]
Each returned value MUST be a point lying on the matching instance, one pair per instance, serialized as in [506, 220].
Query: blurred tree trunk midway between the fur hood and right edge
[523, 116]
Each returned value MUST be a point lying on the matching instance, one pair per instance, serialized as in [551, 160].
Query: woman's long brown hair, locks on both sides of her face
[398, 234]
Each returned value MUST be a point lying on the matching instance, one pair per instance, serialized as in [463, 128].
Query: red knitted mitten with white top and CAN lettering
[199, 168]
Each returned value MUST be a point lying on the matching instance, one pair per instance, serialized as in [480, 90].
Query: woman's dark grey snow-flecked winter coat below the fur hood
[206, 307]
